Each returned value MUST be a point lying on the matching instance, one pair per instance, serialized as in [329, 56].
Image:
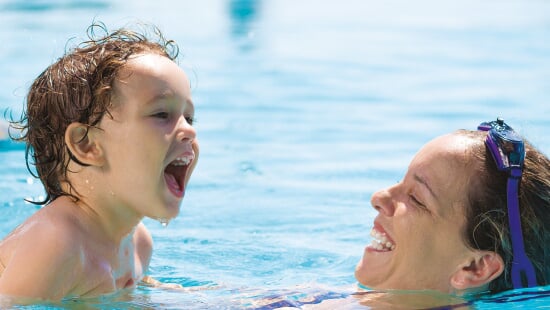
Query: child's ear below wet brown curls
[84, 145]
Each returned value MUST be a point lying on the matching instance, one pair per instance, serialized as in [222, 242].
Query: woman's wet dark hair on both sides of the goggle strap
[487, 225]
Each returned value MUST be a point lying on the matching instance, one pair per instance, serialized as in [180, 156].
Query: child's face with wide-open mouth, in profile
[149, 143]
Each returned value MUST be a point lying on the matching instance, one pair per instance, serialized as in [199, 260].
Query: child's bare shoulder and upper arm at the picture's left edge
[44, 244]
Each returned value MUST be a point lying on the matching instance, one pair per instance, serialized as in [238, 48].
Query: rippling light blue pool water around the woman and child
[303, 109]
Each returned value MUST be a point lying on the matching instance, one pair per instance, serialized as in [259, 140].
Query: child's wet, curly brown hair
[77, 88]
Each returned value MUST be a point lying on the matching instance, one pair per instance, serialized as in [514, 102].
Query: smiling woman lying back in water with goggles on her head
[471, 215]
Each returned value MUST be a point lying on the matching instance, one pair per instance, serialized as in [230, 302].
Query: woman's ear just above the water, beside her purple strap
[482, 268]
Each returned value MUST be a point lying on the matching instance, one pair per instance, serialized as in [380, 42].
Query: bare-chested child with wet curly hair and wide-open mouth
[109, 129]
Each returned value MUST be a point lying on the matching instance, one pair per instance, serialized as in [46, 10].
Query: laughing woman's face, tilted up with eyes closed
[417, 234]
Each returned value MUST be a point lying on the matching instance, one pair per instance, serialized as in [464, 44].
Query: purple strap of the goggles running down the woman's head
[520, 261]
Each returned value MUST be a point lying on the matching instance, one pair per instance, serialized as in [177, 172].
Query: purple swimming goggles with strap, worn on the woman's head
[508, 151]
